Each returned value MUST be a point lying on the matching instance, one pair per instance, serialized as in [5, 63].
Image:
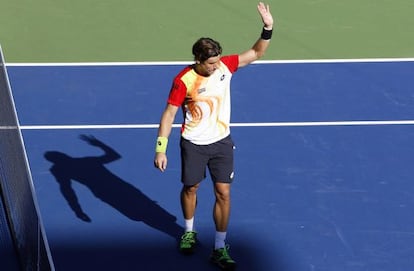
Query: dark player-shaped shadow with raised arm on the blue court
[108, 187]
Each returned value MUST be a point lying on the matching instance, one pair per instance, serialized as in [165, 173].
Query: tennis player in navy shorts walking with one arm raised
[202, 90]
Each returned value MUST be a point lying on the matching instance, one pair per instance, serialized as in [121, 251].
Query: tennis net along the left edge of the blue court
[16, 186]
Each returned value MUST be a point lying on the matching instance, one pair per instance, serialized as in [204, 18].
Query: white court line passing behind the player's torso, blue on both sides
[258, 124]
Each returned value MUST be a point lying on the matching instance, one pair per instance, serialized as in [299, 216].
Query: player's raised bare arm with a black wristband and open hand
[260, 47]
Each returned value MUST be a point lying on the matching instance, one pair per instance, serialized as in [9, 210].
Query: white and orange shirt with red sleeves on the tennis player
[205, 101]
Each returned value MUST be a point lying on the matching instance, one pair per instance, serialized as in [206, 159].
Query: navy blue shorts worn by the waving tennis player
[218, 157]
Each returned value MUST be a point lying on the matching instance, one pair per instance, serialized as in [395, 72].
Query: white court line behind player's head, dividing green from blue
[356, 60]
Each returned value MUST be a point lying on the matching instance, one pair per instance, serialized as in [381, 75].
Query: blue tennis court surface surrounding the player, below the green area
[323, 166]
